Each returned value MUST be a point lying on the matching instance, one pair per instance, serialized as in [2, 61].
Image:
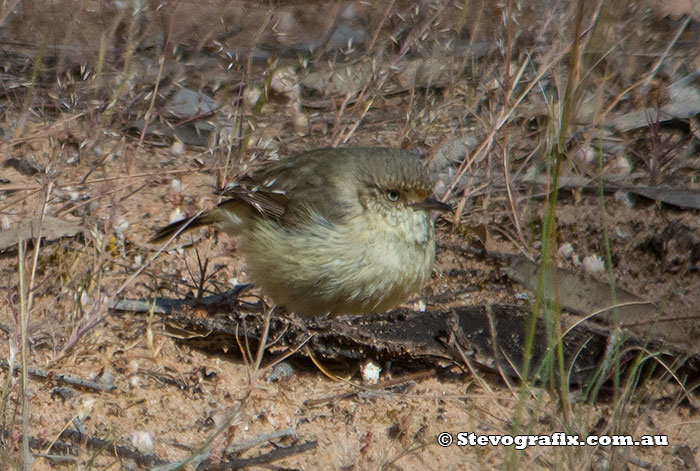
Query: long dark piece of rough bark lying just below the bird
[492, 337]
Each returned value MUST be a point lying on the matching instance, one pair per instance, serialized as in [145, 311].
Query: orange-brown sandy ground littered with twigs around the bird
[177, 401]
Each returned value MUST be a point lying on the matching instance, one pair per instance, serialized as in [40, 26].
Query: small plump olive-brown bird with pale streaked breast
[339, 231]
